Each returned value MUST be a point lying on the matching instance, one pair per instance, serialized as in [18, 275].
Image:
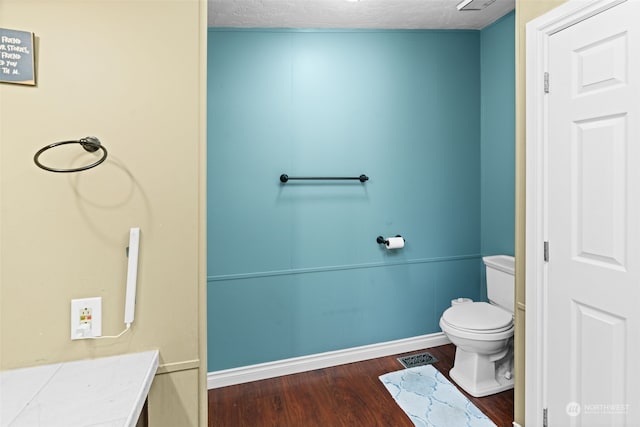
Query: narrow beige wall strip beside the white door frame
[526, 10]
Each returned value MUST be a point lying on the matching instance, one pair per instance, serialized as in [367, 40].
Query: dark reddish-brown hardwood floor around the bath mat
[346, 395]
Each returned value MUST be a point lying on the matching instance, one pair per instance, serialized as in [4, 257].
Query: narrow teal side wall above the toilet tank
[497, 65]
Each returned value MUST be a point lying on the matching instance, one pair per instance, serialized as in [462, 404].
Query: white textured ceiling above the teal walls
[373, 14]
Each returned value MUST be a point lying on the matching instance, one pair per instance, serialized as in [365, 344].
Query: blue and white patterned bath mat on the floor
[430, 400]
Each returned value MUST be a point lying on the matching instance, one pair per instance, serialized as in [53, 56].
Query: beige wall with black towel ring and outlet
[132, 73]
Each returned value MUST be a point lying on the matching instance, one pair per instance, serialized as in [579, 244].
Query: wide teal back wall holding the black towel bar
[294, 269]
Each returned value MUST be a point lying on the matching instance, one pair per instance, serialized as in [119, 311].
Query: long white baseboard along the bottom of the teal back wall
[295, 365]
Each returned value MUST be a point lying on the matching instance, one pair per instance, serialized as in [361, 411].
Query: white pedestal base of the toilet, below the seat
[480, 376]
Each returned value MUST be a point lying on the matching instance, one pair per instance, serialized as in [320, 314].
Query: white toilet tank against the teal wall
[501, 280]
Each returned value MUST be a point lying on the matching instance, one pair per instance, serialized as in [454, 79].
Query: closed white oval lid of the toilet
[478, 316]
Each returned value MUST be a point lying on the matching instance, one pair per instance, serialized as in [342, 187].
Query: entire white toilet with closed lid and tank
[483, 333]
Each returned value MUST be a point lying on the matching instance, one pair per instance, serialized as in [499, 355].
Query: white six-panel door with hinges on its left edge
[592, 342]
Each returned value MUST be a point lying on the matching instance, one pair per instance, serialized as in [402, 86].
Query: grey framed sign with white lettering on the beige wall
[16, 57]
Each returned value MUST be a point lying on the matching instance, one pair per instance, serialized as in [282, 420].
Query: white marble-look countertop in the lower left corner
[108, 391]
